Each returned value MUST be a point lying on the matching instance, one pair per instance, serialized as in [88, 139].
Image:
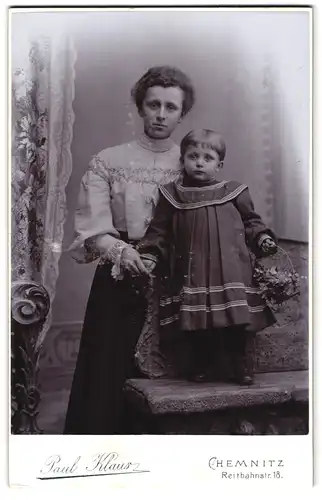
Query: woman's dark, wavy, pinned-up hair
[164, 76]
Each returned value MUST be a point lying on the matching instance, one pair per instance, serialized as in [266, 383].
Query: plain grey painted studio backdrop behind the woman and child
[252, 80]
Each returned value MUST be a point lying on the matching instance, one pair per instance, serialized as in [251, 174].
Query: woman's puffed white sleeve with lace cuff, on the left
[95, 234]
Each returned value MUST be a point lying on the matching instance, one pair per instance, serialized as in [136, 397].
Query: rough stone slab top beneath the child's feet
[165, 396]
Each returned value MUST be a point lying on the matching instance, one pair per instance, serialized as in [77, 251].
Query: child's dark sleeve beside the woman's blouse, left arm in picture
[157, 239]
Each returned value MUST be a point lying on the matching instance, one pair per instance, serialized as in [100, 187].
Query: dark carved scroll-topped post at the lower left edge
[29, 308]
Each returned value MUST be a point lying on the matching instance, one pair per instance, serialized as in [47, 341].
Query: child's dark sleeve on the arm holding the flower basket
[255, 229]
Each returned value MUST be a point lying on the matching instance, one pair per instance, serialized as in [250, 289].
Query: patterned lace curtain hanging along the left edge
[42, 125]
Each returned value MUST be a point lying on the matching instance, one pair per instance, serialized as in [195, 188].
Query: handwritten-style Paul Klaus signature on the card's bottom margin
[100, 464]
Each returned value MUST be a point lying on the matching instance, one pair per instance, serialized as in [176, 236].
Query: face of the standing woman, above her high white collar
[161, 111]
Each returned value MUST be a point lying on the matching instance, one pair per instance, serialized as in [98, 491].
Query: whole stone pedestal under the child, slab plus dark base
[277, 403]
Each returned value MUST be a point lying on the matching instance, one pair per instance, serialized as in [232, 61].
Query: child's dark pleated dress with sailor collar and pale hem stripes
[201, 238]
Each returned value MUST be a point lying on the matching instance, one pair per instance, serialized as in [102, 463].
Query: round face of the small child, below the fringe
[201, 163]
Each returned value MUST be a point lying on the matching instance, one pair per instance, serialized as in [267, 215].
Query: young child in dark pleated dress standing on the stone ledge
[200, 239]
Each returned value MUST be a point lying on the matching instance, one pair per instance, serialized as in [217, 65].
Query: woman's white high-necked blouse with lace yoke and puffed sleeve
[118, 193]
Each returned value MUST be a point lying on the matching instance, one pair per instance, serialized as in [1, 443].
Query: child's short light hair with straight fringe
[206, 137]
